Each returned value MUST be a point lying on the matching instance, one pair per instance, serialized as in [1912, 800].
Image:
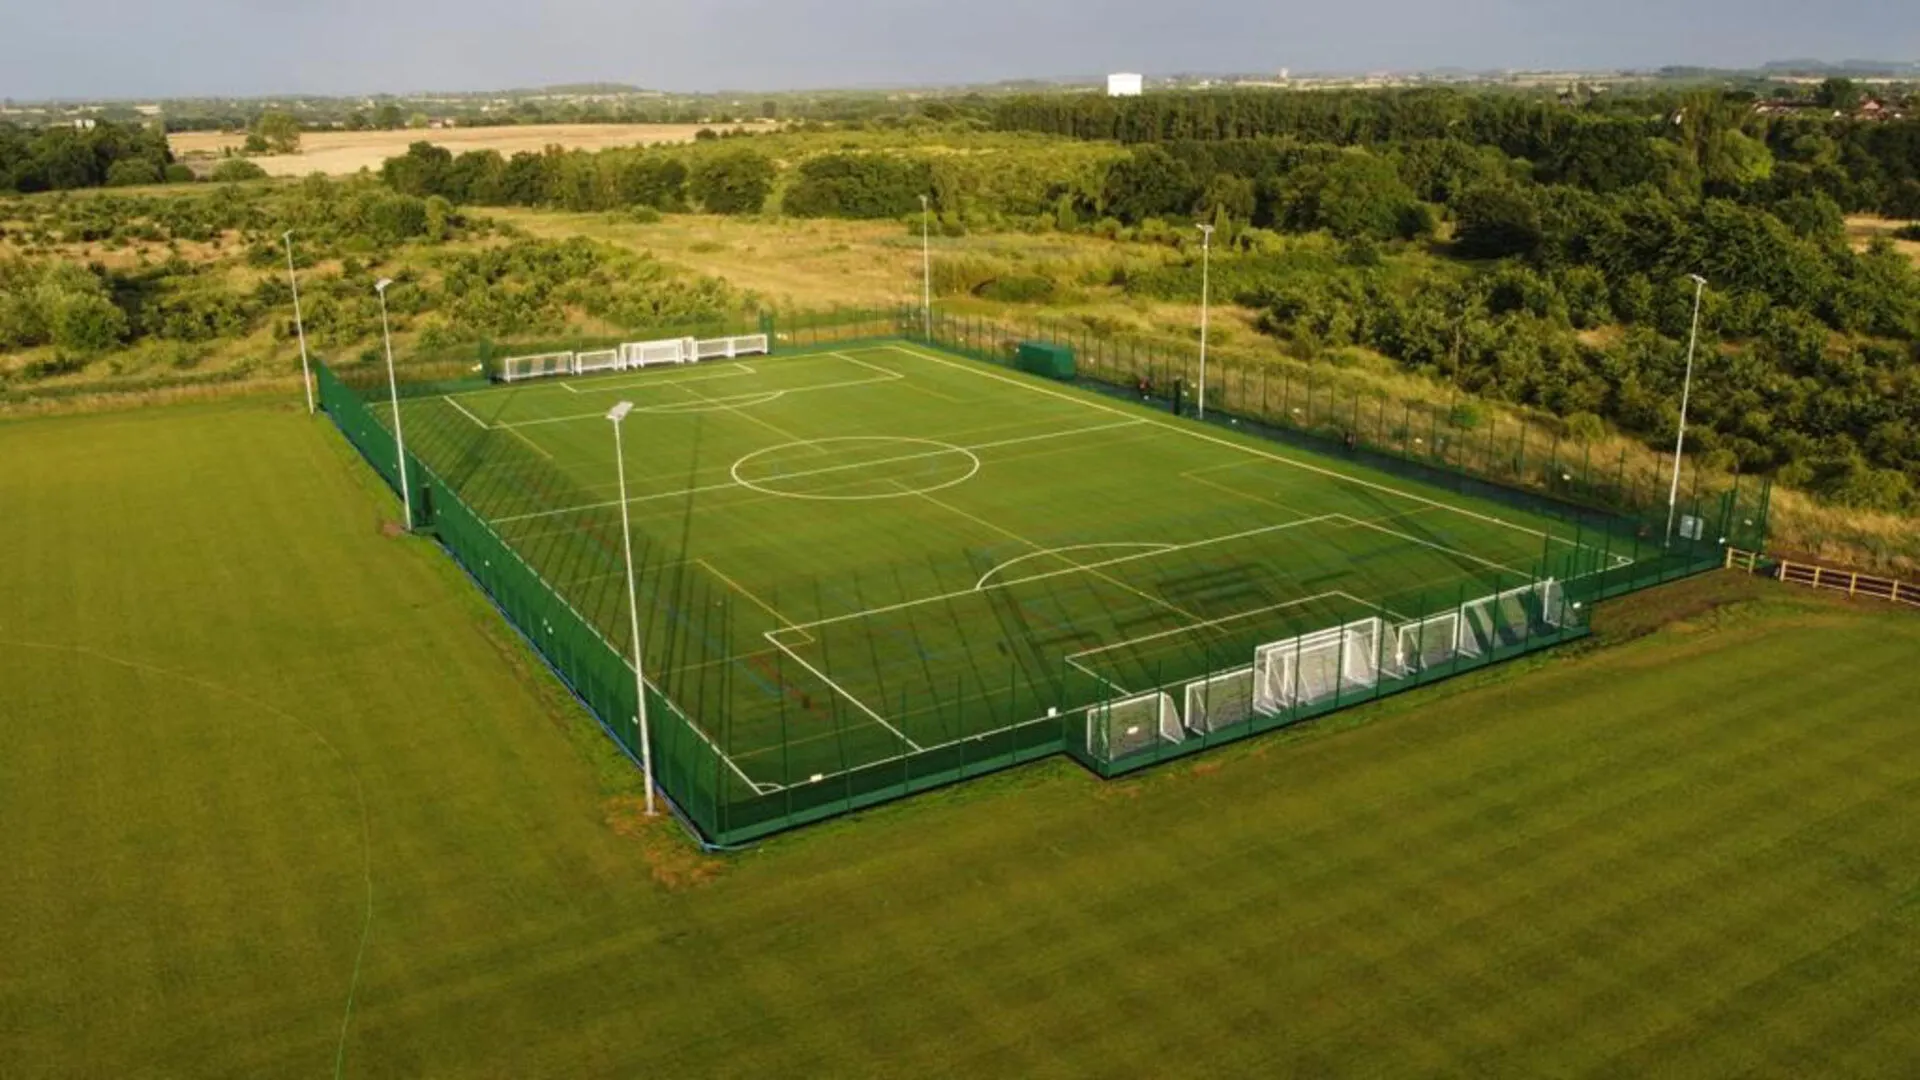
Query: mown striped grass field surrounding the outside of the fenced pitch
[283, 797]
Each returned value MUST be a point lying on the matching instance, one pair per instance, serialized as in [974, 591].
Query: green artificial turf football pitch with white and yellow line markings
[865, 552]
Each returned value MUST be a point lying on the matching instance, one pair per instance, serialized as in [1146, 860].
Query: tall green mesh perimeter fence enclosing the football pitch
[1226, 693]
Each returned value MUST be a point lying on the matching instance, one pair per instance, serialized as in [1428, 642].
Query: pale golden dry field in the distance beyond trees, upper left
[341, 153]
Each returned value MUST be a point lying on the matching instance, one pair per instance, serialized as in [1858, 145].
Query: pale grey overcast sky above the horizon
[348, 47]
